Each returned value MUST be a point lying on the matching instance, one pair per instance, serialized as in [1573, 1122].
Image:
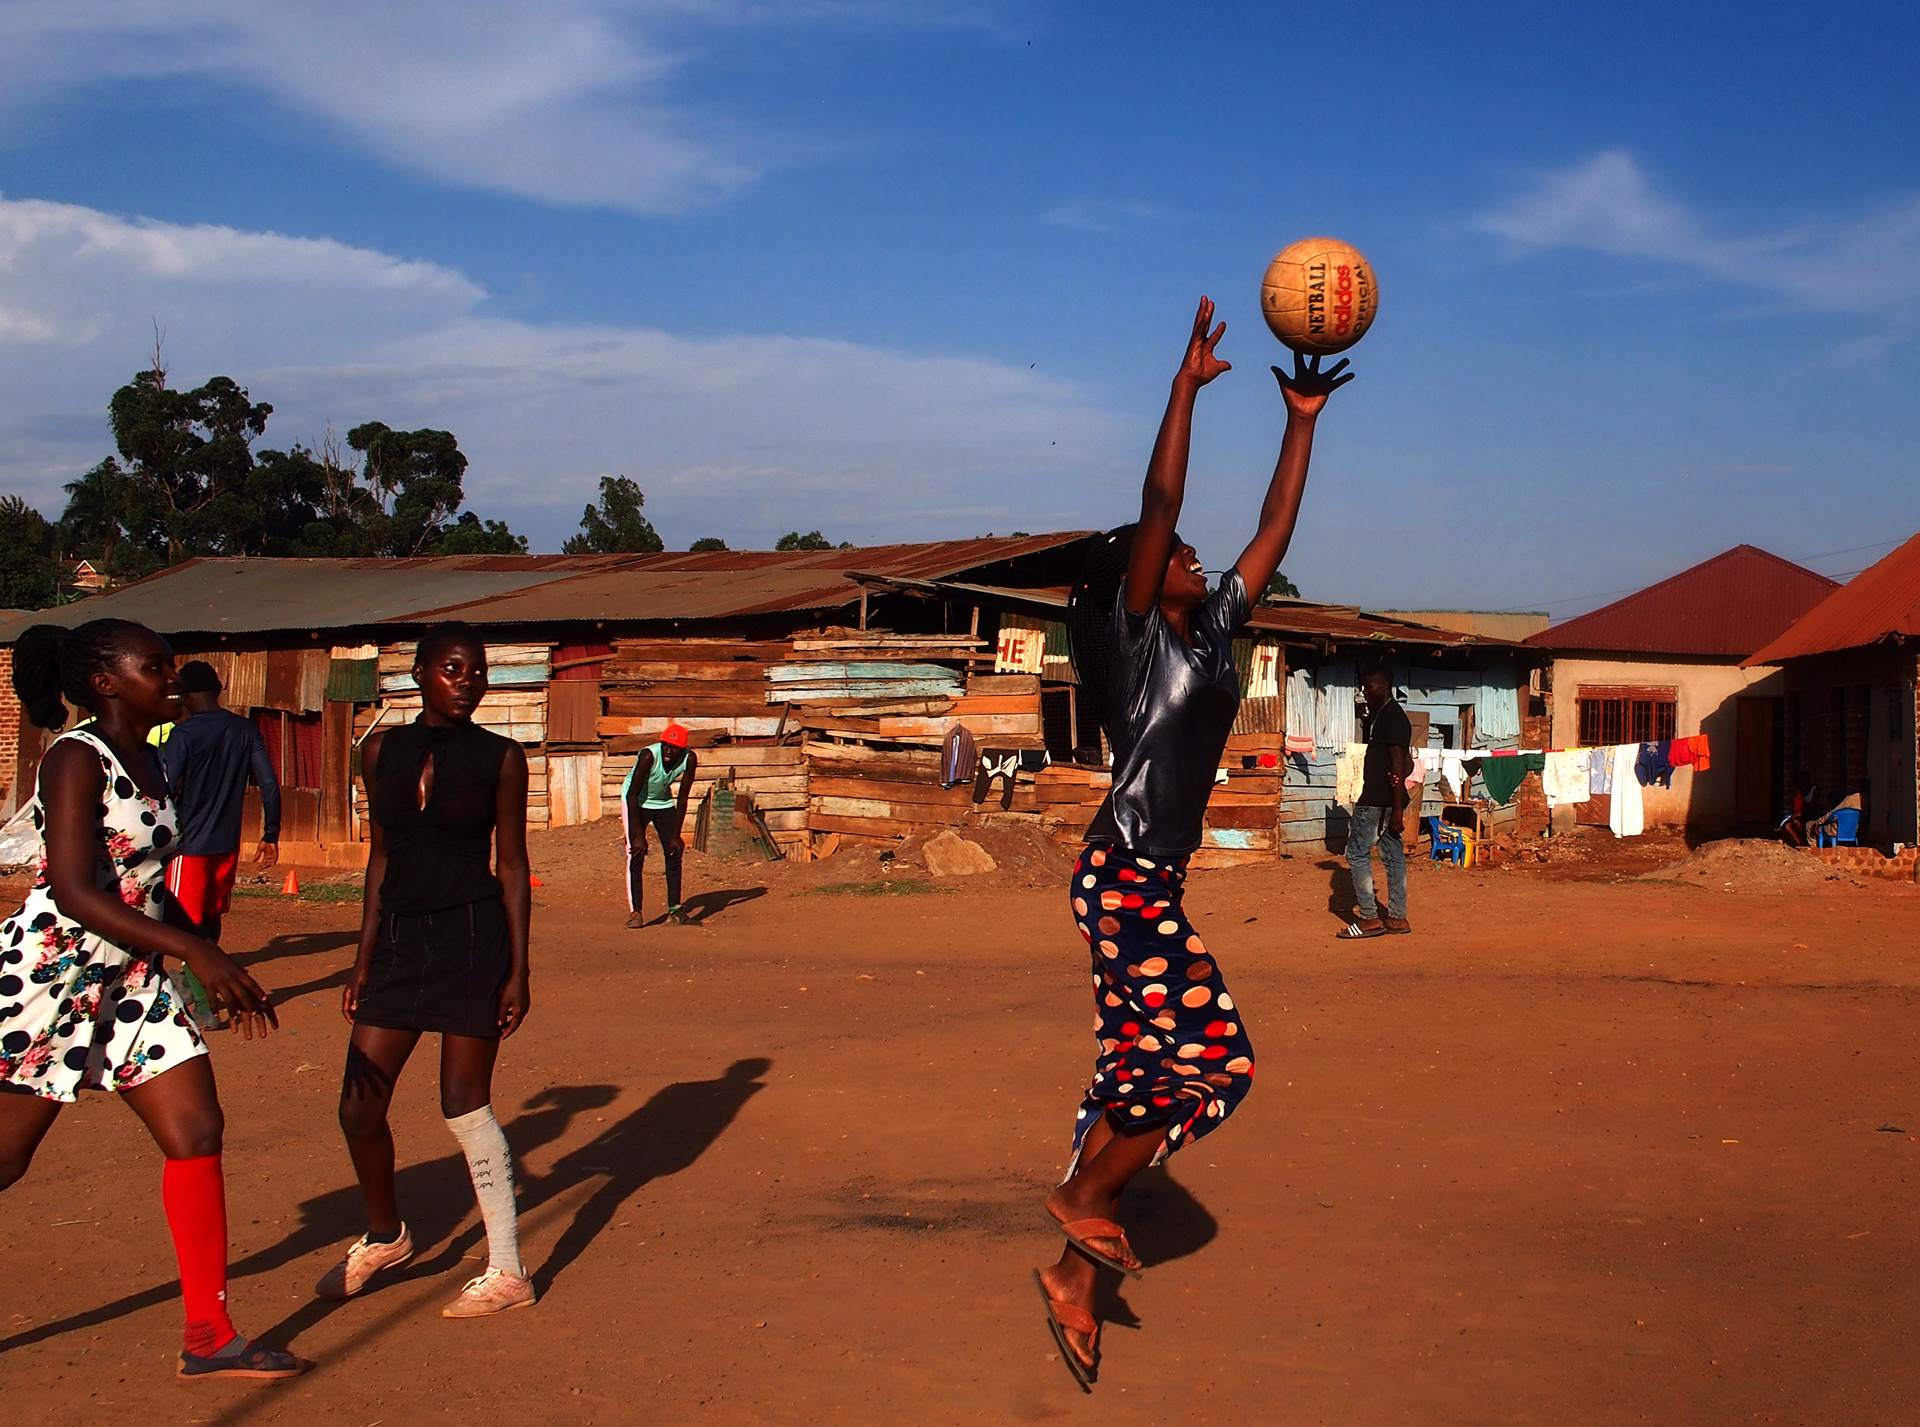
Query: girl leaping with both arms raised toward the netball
[1155, 652]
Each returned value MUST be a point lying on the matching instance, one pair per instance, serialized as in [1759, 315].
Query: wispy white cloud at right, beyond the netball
[1858, 264]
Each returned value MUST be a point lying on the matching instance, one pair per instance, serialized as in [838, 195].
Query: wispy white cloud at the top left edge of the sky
[565, 101]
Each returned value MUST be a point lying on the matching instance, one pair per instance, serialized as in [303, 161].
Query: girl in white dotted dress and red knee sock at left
[85, 996]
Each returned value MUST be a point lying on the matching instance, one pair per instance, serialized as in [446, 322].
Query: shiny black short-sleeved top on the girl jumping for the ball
[1172, 708]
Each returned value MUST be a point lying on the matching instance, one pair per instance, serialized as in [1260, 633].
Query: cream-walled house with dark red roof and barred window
[1673, 662]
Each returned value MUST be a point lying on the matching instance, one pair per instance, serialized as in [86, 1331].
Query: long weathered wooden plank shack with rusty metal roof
[819, 685]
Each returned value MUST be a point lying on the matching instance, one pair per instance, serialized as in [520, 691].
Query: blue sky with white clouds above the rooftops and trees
[1650, 279]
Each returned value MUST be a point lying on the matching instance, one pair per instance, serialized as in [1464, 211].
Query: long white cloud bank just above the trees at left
[742, 437]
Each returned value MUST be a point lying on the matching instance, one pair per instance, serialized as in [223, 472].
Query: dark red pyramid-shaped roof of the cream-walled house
[1723, 608]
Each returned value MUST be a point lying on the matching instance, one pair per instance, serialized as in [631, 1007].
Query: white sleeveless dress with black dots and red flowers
[78, 1011]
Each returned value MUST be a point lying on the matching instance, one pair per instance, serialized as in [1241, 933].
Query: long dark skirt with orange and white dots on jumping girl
[1172, 1048]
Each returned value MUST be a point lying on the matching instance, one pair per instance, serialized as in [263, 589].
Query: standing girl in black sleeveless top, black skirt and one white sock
[443, 950]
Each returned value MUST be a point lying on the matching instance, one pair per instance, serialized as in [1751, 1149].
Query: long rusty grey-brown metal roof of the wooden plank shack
[258, 596]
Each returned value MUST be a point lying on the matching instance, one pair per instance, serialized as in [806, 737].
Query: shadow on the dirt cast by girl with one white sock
[665, 1136]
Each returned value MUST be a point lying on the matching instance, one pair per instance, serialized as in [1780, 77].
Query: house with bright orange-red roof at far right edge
[1850, 685]
